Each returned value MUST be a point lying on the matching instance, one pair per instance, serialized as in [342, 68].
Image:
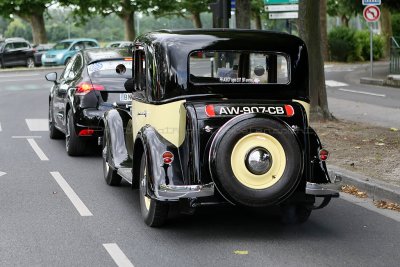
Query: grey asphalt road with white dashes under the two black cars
[57, 210]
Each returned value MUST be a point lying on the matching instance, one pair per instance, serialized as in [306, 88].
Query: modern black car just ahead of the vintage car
[91, 83]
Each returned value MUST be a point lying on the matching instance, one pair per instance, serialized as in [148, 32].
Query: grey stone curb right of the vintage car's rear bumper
[377, 190]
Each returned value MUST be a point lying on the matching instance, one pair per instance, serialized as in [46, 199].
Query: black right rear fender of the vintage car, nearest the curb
[319, 171]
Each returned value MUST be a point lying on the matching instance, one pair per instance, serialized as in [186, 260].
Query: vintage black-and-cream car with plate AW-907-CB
[218, 116]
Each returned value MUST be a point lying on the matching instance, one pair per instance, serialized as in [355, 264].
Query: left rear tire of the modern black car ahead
[74, 145]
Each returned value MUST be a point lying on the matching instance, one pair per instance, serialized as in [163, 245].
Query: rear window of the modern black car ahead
[111, 69]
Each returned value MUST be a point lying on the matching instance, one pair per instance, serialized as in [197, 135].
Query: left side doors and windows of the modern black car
[60, 97]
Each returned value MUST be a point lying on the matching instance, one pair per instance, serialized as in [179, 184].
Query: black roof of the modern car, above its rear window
[101, 54]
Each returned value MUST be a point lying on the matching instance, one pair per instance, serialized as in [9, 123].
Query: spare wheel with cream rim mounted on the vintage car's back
[255, 160]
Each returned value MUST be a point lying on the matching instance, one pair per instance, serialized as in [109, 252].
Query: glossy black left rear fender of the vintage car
[151, 143]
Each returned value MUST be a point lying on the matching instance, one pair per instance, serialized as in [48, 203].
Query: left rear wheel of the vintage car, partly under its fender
[154, 213]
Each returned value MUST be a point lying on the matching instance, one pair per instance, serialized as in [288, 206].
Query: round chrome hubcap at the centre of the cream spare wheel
[258, 161]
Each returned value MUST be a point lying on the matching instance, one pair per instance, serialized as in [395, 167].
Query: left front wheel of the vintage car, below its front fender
[110, 173]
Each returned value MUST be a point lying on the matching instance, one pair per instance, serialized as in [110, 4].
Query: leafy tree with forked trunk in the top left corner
[30, 10]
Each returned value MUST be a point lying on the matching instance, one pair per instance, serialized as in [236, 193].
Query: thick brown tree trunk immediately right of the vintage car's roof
[310, 32]
